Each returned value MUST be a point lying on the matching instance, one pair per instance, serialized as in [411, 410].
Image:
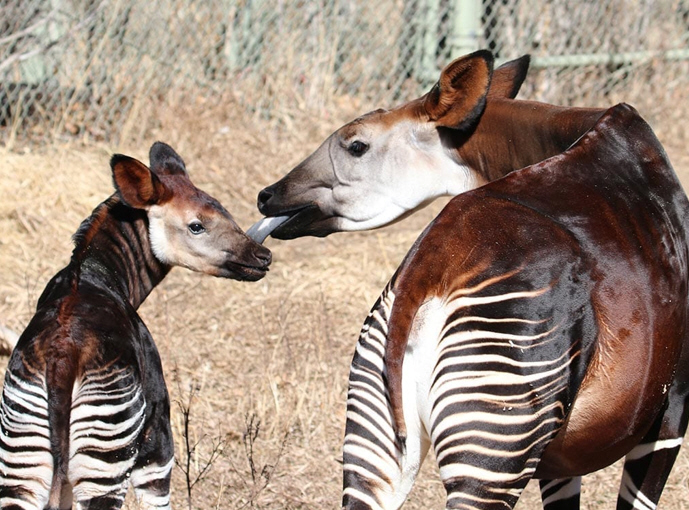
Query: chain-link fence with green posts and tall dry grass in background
[97, 68]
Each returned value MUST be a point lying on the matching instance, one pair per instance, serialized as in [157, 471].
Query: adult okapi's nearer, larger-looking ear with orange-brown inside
[459, 97]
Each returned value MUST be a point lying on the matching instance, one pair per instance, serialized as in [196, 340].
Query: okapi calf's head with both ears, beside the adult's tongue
[187, 227]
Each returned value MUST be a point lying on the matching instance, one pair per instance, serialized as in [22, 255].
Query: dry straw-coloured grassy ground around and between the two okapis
[265, 363]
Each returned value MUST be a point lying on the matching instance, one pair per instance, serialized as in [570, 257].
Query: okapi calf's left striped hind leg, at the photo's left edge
[26, 464]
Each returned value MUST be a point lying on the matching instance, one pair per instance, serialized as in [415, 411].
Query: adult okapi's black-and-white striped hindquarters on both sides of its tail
[483, 382]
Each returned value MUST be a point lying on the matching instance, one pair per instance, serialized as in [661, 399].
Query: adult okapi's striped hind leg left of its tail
[377, 473]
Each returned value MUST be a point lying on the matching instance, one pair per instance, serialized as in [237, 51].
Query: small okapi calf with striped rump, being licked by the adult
[85, 410]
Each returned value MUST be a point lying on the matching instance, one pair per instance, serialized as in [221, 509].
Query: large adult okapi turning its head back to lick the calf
[537, 327]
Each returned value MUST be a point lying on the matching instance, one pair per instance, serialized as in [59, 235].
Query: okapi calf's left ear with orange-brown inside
[137, 185]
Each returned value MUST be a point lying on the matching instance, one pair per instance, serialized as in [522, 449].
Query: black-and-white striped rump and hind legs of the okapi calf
[107, 418]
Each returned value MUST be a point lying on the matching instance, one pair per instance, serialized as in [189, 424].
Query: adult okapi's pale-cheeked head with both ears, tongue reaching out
[387, 164]
